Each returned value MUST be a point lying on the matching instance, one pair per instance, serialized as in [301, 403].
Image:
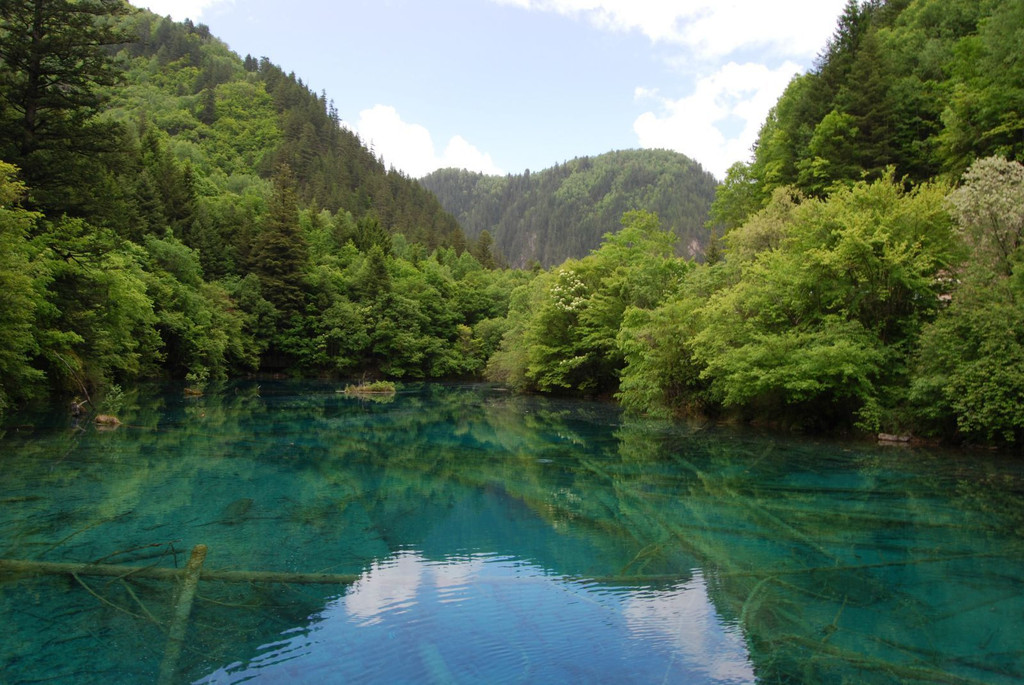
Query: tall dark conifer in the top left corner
[54, 66]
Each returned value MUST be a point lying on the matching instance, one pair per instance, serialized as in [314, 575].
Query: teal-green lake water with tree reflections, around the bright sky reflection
[836, 566]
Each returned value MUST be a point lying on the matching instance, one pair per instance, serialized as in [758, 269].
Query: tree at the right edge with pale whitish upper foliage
[969, 377]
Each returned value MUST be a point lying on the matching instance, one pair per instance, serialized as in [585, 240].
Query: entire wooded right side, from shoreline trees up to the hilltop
[870, 277]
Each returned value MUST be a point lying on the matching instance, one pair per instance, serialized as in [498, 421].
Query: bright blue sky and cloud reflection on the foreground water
[497, 619]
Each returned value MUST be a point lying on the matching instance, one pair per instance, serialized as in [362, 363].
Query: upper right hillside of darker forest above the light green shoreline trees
[920, 88]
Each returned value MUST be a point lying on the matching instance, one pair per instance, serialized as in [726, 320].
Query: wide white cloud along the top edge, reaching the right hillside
[709, 28]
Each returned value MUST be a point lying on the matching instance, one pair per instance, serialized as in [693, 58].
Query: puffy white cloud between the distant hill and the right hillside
[696, 125]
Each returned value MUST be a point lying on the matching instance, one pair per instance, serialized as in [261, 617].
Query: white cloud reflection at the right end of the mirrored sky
[686, 618]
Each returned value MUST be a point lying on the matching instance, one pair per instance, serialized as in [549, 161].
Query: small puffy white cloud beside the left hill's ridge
[411, 148]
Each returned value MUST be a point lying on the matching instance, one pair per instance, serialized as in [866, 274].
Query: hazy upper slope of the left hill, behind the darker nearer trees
[234, 120]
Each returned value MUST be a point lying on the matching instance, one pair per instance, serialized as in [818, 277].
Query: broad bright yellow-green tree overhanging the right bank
[822, 328]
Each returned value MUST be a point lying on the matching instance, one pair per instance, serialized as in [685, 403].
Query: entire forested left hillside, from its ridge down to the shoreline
[168, 208]
